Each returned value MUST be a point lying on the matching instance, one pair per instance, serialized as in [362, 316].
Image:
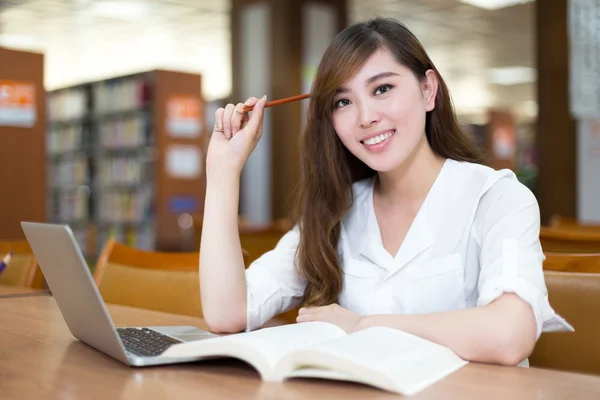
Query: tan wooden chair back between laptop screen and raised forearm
[146, 279]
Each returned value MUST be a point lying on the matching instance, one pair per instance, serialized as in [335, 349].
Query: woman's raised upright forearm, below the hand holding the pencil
[222, 273]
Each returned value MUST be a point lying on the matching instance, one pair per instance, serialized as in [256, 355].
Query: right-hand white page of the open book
[383, 357]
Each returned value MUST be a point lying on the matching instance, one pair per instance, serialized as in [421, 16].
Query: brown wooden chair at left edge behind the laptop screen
[22, 269]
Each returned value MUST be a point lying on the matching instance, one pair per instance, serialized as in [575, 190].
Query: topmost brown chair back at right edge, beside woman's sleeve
[569, 240]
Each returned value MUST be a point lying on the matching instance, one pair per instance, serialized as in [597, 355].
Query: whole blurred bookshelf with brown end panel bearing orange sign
[110, 159]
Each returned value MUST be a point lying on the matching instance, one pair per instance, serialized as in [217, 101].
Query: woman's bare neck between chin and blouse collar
[410, 181]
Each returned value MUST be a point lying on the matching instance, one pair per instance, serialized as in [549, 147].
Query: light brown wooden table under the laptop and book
[40, 359]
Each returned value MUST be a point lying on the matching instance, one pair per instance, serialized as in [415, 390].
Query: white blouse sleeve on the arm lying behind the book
[508, 227]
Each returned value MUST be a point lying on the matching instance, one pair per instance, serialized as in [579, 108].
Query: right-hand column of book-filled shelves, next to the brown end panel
[125, 183]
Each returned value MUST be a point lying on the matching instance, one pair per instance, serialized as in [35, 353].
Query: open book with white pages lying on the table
[385, 358]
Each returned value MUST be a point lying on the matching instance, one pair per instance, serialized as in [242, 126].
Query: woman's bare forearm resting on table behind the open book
[503, 332]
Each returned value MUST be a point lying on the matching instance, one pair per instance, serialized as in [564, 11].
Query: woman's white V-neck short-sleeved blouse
[475, 237]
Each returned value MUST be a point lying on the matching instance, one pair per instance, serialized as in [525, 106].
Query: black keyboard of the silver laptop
[145, 342]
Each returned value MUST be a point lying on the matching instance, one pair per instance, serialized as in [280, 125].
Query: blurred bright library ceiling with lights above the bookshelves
[86, 40]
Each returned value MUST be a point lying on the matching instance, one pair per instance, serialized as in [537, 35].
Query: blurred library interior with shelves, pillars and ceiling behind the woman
[106, 107]
